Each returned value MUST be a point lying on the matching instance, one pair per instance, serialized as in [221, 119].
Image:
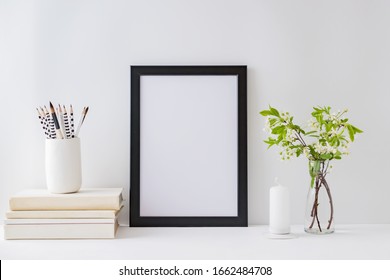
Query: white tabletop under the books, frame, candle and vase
[353, 242]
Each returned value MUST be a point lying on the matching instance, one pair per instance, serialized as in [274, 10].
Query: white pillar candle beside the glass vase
[279, 210]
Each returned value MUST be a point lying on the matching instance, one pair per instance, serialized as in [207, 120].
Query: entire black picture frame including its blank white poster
[188, 146]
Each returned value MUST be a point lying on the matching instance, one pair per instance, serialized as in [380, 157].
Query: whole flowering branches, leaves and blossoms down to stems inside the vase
[331, 134]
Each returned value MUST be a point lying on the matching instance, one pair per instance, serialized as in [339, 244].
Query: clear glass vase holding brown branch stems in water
[319, 203]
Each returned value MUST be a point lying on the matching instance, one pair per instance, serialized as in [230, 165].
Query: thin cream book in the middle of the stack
[62, 214]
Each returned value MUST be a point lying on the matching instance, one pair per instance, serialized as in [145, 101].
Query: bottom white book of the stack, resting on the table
[60, 231]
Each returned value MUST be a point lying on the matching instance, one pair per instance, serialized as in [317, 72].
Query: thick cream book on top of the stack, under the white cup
[85, 199]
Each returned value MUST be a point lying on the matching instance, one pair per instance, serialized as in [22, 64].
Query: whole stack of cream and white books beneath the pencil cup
[38, 214]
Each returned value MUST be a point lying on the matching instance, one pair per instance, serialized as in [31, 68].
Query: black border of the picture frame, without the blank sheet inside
[139, 221]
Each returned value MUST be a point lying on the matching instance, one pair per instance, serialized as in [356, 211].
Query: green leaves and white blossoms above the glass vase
[331, 132]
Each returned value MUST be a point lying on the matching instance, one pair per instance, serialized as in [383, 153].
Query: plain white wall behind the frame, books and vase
[299, 54]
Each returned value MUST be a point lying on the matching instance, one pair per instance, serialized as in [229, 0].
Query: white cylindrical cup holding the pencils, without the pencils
[63, 165]
